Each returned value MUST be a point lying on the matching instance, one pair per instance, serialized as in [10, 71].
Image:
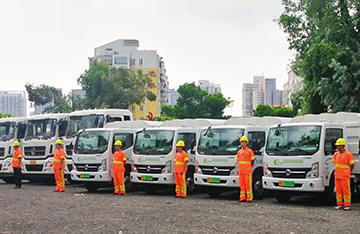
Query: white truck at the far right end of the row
[298, 155]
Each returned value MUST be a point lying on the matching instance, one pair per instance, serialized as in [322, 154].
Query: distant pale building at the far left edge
[13, 102]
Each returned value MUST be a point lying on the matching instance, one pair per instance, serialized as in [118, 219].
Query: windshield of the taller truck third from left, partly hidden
[77, 123]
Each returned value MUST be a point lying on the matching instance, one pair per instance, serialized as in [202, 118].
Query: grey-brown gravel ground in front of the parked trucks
[37, 209]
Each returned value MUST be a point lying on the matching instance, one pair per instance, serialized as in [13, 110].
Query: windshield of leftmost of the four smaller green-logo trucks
[92, 142]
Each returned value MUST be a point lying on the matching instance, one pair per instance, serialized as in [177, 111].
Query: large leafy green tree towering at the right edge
[325, 36]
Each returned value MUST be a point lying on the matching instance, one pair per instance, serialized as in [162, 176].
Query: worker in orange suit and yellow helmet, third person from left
[119, 160]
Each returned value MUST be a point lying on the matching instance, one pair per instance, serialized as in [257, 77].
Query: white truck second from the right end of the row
[216, 165]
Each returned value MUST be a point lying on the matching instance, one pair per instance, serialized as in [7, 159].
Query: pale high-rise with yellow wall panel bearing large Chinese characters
[125, 53]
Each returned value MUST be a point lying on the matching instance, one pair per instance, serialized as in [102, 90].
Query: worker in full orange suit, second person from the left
[59, 166]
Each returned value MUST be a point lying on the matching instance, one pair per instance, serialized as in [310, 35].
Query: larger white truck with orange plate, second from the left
[38, 146]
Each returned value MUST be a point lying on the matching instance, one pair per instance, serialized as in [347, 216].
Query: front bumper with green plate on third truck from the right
[155, 178]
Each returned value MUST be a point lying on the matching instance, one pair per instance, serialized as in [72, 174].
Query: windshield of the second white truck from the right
[219, 141]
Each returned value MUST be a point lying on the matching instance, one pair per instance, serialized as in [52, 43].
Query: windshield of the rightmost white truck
[293, 140]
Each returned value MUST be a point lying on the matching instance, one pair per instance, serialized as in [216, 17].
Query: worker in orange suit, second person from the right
[245, 157]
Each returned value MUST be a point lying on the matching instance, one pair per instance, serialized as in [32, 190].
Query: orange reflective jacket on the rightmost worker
[342, 164]
